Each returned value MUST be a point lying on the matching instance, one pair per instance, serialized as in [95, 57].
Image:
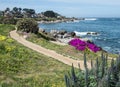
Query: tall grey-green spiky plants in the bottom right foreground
[104, 73]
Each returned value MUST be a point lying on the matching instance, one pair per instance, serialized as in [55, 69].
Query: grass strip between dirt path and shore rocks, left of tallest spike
[64, 50]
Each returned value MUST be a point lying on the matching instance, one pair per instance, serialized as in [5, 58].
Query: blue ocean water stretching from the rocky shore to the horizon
[108, 29]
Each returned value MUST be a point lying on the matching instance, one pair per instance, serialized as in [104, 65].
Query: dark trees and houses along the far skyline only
[27, 13]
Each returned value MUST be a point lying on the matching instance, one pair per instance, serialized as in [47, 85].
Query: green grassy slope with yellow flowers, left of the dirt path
[22, 67]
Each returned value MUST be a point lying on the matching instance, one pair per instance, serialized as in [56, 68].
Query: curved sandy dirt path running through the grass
[48, 52]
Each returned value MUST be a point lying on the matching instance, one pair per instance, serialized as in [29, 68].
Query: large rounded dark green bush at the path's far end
[27, 25]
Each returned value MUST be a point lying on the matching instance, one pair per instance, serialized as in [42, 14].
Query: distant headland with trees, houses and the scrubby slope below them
[11, 16]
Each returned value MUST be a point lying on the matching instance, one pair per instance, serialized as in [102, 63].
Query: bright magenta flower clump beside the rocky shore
[82, 45]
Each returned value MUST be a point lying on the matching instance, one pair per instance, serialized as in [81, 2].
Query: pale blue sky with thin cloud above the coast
[69, 8]
